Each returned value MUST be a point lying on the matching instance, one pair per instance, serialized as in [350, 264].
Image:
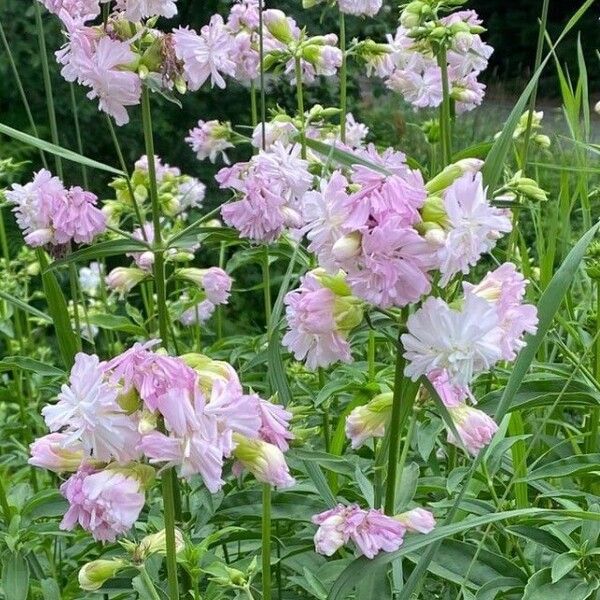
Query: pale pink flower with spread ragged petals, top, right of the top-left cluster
[209, 54]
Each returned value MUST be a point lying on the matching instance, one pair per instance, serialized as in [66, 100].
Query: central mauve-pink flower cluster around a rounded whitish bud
[371, 233]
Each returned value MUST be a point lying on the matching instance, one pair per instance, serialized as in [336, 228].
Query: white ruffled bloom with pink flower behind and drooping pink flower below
[452, 345]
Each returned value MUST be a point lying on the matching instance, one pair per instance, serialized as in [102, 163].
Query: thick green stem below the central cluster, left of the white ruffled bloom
[402, 403]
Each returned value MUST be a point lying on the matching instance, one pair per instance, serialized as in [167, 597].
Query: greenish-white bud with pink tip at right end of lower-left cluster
[265, 461]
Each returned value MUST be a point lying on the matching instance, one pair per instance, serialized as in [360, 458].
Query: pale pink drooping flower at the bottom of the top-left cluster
[106, 73]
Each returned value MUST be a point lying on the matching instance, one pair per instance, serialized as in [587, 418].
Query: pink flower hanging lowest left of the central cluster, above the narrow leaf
[314, 334]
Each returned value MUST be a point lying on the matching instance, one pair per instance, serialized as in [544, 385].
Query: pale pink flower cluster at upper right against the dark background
[412, 70]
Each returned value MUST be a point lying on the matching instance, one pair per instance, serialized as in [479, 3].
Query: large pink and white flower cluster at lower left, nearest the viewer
[105, 424]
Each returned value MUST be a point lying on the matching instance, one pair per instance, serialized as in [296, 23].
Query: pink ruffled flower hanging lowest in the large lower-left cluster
[106, 503]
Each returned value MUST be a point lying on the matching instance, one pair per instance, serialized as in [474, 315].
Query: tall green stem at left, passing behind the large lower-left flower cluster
[168, 481]
